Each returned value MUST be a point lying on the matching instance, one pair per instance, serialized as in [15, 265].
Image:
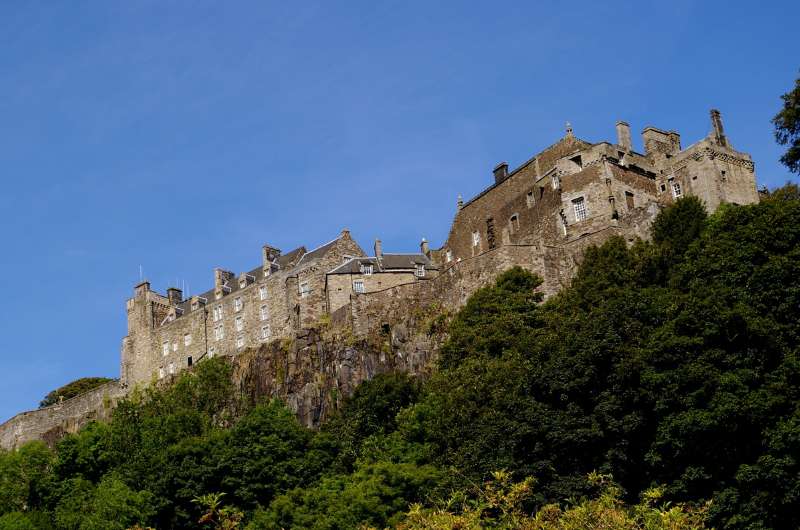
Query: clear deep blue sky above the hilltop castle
[183, 135]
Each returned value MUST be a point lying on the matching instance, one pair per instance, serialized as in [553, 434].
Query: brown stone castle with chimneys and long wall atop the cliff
[540, 216]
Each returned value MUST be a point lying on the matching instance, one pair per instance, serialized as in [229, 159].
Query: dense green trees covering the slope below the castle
[671, 365]
